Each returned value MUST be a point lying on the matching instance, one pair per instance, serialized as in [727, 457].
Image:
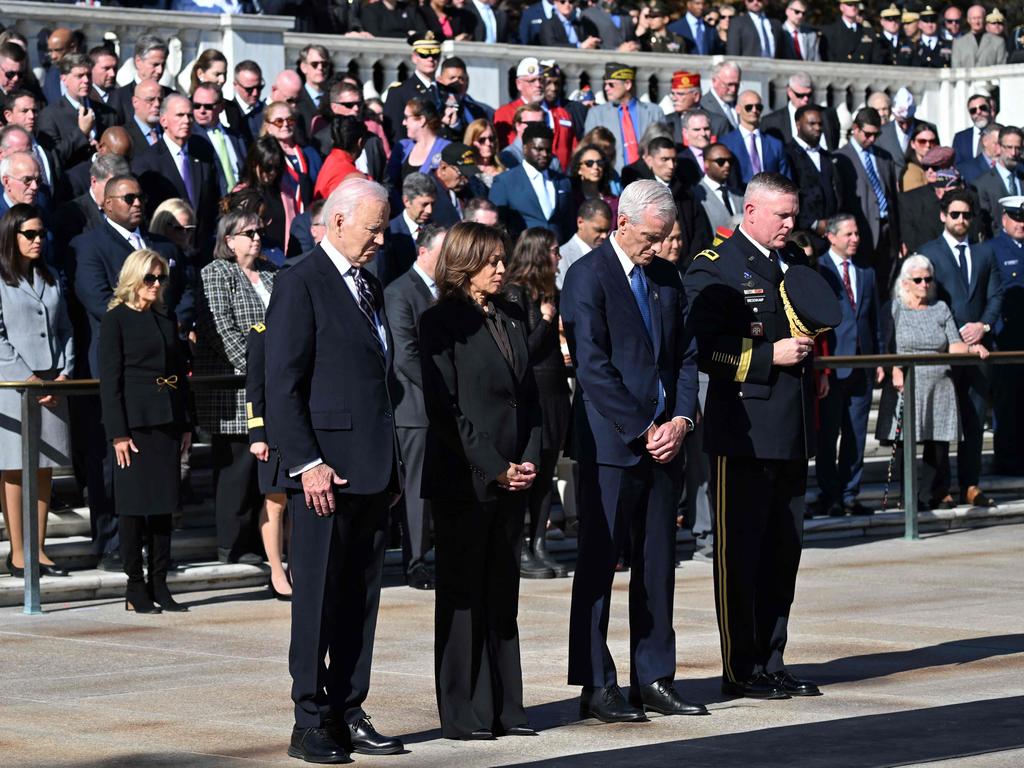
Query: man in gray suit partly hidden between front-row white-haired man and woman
[407, 300]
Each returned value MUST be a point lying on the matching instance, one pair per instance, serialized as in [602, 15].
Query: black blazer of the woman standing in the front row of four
[484, 413]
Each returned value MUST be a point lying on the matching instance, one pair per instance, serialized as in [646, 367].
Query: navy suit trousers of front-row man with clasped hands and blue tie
[626, 504]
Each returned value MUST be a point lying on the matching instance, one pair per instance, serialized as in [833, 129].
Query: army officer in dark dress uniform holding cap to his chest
[759, 433]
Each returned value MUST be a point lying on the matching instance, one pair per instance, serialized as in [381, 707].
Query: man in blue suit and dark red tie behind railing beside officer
[848, 400]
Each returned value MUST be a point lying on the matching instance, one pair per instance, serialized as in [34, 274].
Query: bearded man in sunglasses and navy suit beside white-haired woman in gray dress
[968, 280]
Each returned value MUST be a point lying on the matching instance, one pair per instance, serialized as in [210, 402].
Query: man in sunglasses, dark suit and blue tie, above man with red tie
[868, 190]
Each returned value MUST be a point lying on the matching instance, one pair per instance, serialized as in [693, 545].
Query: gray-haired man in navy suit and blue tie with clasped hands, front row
[623, 309]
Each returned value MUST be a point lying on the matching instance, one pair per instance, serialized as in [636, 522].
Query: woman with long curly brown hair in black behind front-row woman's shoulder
[531, 284]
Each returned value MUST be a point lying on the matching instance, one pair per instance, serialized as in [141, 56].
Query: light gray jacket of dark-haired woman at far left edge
[35, 330]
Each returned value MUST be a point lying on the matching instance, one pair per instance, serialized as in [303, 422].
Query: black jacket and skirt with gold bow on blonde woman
[144, 389]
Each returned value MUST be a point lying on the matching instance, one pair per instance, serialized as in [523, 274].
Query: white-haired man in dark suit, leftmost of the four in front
[334, 421]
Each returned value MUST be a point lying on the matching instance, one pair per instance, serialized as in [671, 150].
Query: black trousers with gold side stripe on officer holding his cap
[759, 531]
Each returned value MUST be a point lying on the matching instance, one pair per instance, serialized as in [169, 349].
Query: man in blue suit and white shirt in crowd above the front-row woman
[533, 194]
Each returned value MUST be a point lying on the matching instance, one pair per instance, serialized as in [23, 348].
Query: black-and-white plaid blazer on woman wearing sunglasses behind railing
[228, 308]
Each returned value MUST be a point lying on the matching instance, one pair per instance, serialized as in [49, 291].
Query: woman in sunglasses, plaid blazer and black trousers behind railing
[234, 295]
